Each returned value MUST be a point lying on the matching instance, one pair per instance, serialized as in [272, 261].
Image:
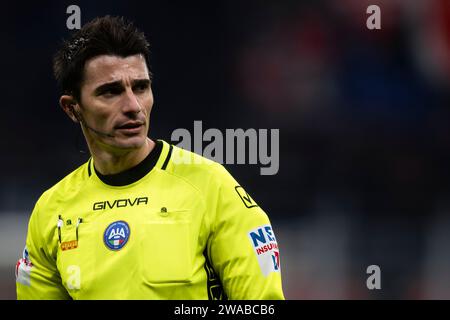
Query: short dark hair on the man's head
[102, 36]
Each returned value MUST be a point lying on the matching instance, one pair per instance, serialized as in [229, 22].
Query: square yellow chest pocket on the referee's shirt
[166, 246]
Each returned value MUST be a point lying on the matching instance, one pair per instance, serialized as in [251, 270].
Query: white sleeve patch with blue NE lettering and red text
[266, 249]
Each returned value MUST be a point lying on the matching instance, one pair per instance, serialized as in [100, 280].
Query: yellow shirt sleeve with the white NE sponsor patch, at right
[242, 245]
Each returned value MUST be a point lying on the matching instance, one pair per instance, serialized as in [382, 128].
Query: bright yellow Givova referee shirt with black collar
[176, 226]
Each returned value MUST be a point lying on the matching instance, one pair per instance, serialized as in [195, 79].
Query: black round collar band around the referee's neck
[135, 173]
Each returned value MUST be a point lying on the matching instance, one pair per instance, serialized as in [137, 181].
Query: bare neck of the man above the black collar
[107, 162]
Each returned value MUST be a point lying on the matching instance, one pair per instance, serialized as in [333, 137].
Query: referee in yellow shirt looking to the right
[141, 219]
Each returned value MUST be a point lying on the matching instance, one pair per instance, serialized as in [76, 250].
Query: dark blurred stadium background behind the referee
[363, 116]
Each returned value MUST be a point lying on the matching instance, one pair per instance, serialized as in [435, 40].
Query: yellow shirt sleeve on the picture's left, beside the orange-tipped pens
[37, 276]
